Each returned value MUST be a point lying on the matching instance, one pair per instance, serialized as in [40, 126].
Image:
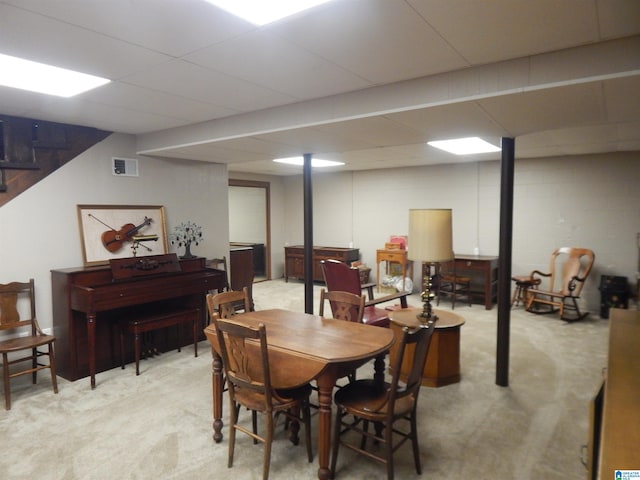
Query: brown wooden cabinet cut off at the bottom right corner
[614, 440]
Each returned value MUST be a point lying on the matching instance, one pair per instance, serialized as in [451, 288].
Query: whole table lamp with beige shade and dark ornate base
[430, 242]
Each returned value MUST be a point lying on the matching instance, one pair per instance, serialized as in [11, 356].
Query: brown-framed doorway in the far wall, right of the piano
[250, 222]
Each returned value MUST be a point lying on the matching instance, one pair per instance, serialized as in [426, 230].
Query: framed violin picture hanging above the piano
[119, 231]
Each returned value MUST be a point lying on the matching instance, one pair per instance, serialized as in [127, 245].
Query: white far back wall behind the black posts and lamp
[586, 201]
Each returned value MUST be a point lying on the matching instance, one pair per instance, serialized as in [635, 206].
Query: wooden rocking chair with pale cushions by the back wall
[569, 268]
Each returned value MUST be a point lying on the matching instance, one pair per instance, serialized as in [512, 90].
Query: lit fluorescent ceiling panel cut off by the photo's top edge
[261, 12]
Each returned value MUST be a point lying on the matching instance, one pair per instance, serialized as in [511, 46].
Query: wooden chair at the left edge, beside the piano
[28, 336]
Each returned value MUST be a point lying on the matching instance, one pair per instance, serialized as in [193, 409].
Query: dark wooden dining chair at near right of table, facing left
[387, 406]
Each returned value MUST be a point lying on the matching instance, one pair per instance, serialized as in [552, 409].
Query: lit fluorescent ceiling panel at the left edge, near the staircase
[38, 77]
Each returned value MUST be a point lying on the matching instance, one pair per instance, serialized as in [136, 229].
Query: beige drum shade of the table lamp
[430, 235]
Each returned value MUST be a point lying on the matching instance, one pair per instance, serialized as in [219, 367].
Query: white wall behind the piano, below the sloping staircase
[39, 228]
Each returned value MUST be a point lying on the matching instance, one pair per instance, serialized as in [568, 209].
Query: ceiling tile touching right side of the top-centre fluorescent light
[380, 40]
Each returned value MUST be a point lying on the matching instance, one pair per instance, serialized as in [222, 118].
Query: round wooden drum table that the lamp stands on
[443, 361]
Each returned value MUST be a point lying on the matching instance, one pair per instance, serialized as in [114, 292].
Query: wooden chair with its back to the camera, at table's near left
[246, 367]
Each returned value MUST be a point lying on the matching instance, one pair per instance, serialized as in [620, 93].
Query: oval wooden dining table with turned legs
[303, 348]
